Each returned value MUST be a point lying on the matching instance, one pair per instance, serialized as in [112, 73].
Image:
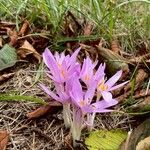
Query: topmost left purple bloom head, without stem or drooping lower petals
[61, 67]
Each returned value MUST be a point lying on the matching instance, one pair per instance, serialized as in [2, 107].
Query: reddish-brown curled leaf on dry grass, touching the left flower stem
[43, 110]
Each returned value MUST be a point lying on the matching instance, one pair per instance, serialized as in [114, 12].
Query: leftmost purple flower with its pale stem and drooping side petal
[61, 69]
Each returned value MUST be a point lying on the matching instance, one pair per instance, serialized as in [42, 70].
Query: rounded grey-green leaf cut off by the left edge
[8, 57]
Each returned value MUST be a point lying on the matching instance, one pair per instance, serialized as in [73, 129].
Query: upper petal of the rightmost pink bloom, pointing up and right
[114, 79]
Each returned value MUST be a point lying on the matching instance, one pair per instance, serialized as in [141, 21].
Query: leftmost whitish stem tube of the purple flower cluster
[67, 115]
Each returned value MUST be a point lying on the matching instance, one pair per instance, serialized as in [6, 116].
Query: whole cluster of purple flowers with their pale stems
[82, 89]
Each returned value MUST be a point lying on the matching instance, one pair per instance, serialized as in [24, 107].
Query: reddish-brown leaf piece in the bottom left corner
[4, 136]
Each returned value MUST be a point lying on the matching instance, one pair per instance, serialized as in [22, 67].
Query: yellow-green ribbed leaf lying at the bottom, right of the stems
[105, 140]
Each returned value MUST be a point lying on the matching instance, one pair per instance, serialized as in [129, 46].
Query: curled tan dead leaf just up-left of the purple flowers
[27, 49]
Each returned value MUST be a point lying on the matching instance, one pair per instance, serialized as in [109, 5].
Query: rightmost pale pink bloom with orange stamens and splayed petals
[105, 87]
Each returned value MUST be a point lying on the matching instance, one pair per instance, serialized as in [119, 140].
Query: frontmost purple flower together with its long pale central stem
[83, 106]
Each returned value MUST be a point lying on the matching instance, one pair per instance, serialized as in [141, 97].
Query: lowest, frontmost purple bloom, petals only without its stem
[83, 99]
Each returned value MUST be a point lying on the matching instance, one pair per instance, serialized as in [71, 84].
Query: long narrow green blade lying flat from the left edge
[19, 98]
